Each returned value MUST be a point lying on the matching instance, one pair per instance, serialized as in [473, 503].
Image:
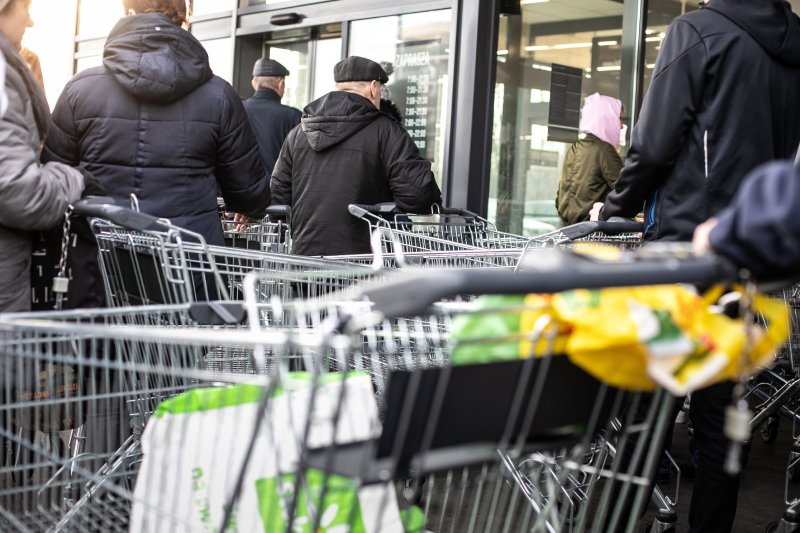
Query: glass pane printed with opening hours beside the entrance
[418, 46]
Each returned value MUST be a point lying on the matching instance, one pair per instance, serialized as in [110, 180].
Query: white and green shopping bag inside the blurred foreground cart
[195, 444]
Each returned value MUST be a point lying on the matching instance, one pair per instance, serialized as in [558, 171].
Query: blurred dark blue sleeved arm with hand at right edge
[760, 231]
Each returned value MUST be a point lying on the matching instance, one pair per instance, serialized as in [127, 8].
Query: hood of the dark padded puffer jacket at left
[155, 60]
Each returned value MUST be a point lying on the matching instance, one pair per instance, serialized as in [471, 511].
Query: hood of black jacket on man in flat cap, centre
[336, 116]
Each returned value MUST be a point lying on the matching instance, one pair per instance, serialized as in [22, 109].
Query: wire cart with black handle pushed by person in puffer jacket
[146, 261]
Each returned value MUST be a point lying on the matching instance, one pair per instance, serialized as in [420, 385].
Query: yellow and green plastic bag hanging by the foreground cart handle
[635, 337]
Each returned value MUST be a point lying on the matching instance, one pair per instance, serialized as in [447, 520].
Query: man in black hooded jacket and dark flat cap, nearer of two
[346, 151]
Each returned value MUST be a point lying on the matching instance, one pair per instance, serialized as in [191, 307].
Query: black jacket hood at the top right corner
[770, 22]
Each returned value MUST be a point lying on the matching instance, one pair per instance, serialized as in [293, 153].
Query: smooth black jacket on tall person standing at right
[723, 100]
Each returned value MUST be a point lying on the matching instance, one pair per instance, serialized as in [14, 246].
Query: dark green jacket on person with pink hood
[591, 167]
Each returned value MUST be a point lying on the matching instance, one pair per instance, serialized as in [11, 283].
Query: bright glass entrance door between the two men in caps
[310, 55]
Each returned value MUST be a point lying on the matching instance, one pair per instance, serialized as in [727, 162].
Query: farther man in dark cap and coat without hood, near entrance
[270, 119]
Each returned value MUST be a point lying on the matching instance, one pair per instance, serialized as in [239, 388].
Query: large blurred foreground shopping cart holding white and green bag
[488, 447]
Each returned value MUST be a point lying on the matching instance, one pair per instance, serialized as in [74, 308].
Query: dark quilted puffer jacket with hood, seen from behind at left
[155, 121]
